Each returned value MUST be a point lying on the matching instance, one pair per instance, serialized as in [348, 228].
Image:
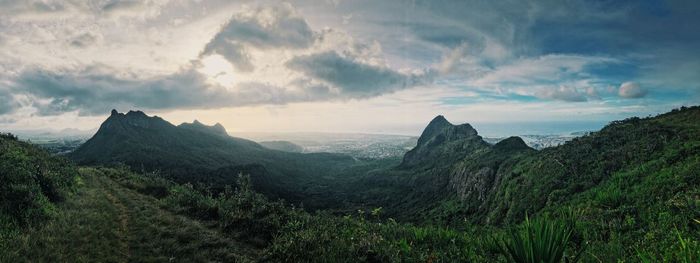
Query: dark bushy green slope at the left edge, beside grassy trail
[31, 184]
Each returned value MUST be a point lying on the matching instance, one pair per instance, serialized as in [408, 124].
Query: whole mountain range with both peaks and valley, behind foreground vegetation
[450, 165]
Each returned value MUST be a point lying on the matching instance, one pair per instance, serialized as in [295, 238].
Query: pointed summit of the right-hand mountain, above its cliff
[442, 141]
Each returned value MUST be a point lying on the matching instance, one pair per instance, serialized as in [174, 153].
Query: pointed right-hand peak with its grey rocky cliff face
[454, 161]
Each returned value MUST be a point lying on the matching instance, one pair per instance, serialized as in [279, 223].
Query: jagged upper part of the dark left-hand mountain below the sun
[135, 139]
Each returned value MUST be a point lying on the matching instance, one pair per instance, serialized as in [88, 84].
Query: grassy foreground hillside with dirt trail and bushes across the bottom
[160, 214]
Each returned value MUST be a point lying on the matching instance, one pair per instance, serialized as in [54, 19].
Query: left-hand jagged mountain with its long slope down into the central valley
[197, 153]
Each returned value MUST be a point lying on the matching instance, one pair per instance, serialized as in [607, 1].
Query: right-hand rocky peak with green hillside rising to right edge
[500, 184]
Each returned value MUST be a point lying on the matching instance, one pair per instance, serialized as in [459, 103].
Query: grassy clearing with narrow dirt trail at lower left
[106, 222]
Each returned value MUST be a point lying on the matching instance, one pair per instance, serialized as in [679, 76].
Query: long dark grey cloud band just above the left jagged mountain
[93, 91]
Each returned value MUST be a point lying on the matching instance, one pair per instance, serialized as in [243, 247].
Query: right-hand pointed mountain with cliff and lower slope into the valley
[450, 163]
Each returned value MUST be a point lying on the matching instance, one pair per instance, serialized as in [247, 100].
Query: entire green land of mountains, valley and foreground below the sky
[627, 193]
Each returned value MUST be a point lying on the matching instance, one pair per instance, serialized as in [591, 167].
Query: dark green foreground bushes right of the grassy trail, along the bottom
[288, 234]
